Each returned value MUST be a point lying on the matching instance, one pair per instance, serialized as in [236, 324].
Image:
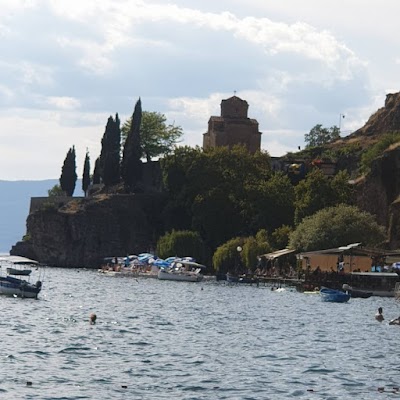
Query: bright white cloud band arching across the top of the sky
[118, 29]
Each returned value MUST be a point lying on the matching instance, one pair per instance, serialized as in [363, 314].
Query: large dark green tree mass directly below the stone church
[216, 191]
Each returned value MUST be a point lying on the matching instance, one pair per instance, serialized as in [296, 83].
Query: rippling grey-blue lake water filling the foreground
[177, 340]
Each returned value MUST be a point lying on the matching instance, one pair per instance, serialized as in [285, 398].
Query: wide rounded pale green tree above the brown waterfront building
[336, 226]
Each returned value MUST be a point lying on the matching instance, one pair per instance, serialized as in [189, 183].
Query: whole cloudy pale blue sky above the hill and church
[67, 65]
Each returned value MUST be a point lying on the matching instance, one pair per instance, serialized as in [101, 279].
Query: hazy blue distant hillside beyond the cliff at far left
[14, 207]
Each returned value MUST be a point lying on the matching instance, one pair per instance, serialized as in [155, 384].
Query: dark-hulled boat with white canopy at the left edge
[18, 287]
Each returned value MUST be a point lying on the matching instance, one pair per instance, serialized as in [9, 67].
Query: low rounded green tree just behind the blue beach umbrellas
[181, 244]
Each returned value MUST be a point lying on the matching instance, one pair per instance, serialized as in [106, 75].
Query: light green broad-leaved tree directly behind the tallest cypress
[156, 136]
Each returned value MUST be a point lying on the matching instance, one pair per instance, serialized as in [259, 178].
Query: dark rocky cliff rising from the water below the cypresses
[83, 232]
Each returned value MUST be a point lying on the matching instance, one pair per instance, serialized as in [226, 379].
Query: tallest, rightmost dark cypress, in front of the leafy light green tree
[131, 168]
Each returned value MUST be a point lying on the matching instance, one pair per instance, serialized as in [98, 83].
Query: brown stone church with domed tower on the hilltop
[233, 127]
